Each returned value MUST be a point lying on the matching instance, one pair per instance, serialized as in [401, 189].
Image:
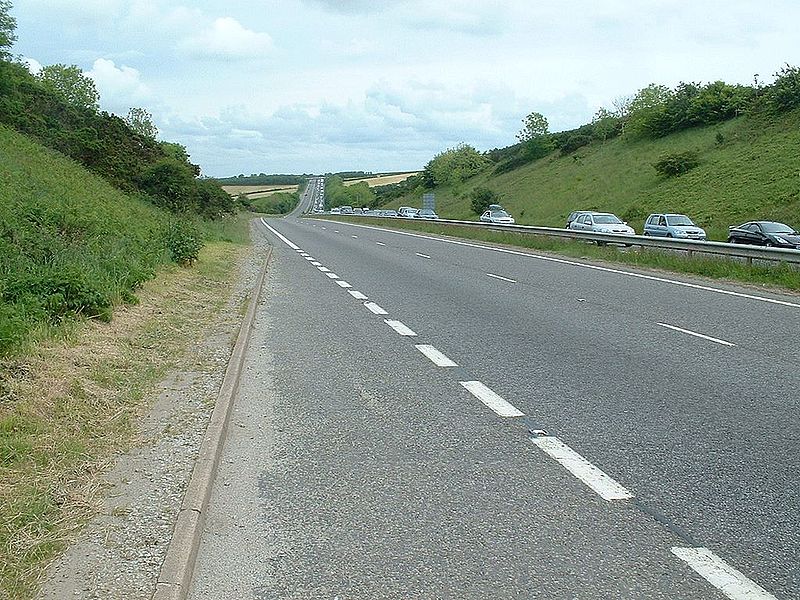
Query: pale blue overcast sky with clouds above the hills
[316, 86]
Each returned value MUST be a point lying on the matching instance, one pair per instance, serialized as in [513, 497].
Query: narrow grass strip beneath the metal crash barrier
[778, 275]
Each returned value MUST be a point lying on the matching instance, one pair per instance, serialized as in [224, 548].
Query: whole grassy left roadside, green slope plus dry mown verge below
[71, 389]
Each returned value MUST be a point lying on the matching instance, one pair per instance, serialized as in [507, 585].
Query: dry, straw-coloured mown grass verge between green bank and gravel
[71, 404]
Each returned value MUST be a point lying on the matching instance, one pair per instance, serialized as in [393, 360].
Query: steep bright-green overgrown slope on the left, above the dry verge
[70, 243]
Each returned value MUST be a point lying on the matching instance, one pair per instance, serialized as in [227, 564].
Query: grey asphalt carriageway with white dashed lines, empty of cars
[358, 466]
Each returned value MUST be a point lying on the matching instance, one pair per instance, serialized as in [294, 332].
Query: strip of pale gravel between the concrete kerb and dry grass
[120, 551]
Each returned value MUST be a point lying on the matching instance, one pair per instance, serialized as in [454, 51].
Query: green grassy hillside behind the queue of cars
[749, 168]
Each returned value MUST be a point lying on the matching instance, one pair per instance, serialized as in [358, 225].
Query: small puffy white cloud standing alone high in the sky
[227, 39]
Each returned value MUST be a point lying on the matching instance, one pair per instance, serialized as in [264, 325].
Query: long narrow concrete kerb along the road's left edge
[176, 571]
